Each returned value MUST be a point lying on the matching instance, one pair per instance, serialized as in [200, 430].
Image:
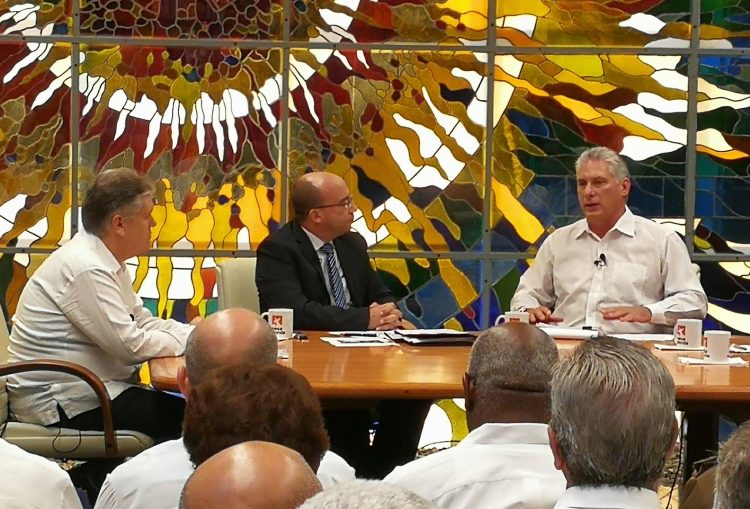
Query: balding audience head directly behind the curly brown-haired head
[231, 336]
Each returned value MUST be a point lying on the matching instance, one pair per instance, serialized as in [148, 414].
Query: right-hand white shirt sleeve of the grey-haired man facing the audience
[684, 296]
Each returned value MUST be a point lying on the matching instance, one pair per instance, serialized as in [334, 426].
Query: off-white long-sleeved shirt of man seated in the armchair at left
[80, 306]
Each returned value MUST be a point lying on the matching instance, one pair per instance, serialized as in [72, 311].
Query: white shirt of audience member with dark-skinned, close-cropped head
[496, 466]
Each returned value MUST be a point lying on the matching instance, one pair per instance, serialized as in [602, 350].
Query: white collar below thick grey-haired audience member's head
[608, 497]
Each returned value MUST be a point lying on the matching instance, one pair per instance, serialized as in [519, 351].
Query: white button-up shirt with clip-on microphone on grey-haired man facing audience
[637, 263]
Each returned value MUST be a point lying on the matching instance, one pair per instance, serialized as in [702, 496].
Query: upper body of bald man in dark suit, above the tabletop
[294, 263]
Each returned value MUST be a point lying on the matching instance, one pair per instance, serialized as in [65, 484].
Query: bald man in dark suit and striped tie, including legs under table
[319, 268]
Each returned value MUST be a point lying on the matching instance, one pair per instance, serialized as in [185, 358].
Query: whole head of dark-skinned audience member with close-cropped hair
[508, 378]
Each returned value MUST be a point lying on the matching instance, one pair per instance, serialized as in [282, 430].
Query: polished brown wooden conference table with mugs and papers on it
[435, 372]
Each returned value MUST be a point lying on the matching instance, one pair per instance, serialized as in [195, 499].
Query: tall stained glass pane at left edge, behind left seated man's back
[35, 143]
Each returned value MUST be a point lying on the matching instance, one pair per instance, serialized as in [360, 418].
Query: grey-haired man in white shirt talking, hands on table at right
[613, 271]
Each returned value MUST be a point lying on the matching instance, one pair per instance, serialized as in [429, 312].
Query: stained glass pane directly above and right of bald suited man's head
[406, 129]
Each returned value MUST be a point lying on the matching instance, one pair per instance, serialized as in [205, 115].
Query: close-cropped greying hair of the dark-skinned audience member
[512, 356]
